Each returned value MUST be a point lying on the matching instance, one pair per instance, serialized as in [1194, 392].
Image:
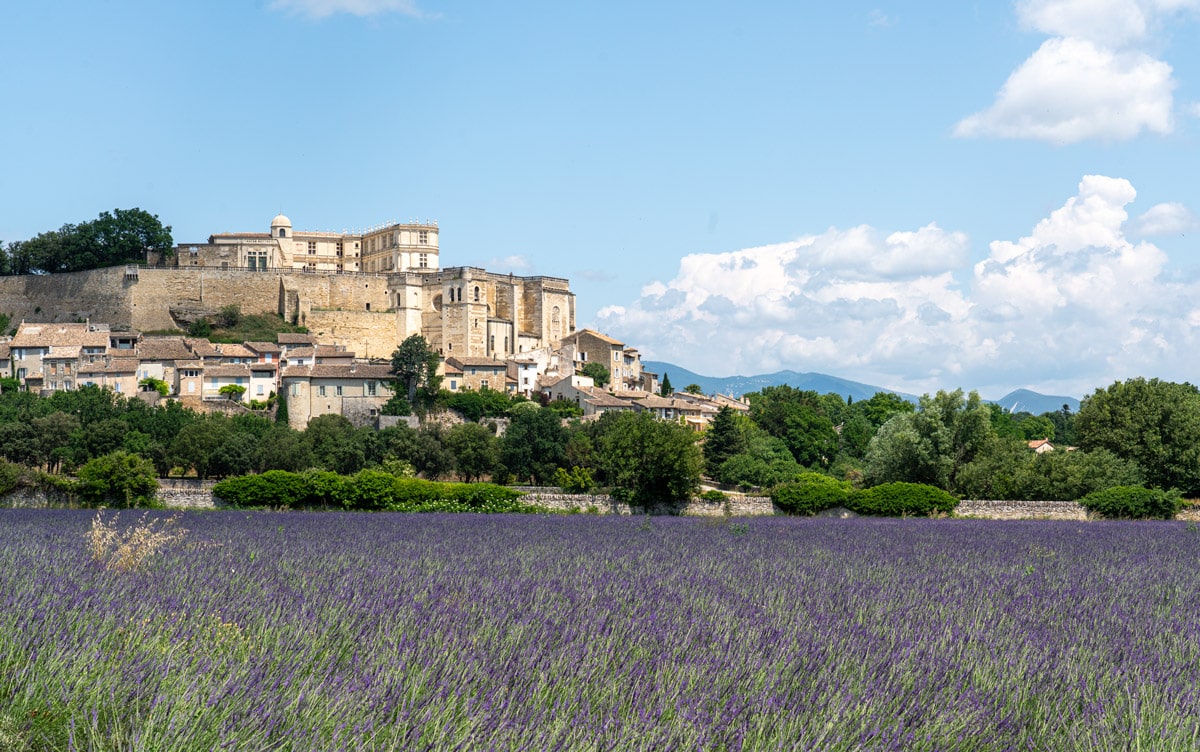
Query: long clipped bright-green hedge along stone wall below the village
[367, 490]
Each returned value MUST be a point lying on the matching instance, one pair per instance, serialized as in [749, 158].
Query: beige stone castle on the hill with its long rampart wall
[365, 291]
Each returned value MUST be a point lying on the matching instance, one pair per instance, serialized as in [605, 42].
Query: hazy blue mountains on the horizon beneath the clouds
[1018, 401]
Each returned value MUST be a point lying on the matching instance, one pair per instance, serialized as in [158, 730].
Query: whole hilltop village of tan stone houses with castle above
[358, 296]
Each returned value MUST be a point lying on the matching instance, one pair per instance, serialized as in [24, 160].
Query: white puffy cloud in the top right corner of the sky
[1091, 81]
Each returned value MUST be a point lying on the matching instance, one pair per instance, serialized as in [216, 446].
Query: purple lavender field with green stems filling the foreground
[328, 631]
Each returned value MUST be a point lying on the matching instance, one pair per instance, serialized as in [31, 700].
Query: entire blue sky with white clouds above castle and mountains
[919, 196]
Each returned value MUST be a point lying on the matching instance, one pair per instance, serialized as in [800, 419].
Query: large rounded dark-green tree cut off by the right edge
[1156, 424]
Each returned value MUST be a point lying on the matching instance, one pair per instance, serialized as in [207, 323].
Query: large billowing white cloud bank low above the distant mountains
[1071, 306]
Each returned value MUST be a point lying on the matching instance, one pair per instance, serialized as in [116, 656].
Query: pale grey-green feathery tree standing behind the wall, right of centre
[933, 444]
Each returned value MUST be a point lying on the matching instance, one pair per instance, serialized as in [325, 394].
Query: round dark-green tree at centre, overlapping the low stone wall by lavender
[646, 461]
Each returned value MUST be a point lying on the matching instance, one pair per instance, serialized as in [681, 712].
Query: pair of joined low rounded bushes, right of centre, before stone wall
[813, 492]
